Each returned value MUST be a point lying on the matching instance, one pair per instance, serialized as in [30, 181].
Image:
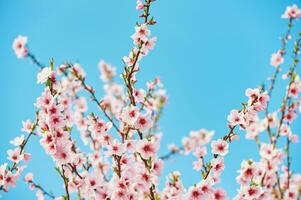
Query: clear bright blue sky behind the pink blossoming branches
[208, 53]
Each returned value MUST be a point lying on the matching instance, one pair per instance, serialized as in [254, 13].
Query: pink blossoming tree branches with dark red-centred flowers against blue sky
[122, 163]
